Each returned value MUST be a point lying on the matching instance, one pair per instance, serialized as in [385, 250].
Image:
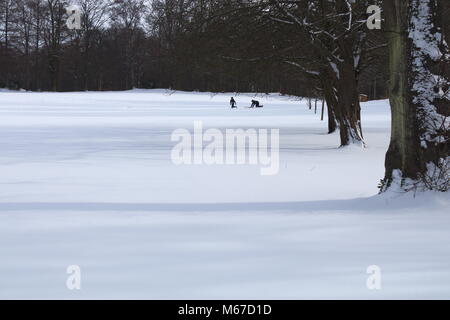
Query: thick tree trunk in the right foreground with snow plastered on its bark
[418, 152]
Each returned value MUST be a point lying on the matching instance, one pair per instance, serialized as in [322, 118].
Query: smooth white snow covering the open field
[86, 179]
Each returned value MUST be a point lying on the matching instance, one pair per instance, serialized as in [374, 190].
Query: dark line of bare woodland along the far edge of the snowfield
[178, 44]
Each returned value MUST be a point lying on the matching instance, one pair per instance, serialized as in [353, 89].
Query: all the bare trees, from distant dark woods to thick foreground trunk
[316, 48]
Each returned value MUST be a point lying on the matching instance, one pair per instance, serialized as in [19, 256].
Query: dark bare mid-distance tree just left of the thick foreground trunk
[337, 35]
